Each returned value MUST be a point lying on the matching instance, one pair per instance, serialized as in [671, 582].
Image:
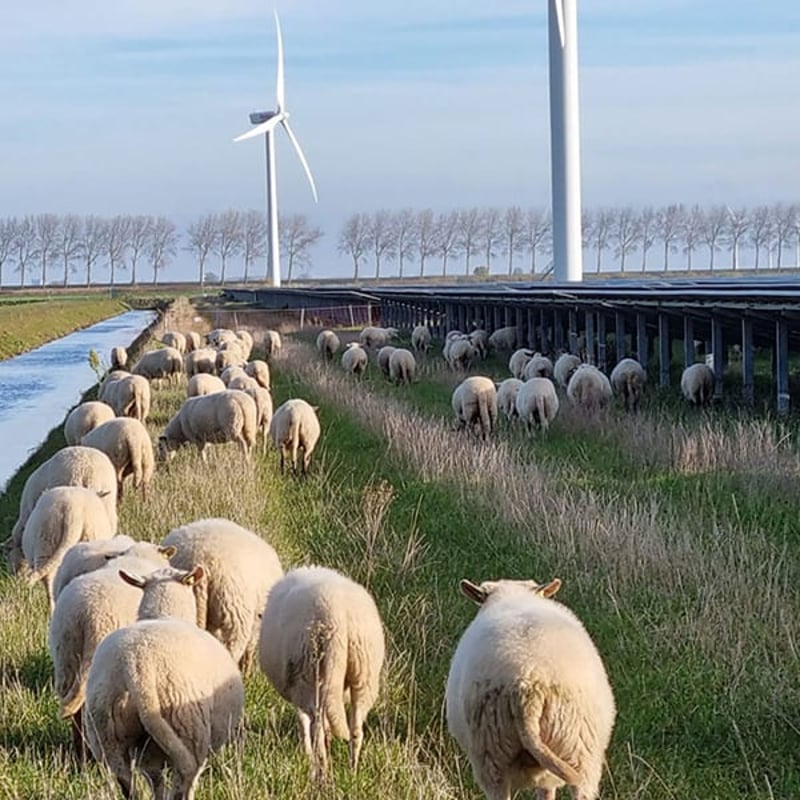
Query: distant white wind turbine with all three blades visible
[266, 122]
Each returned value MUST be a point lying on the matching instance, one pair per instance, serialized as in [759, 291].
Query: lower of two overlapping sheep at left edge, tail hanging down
[61, 517]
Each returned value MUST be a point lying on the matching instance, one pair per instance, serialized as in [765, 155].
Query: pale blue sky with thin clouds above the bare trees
[131, 106]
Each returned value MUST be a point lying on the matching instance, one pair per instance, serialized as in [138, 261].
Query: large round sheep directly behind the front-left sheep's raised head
[241, 569]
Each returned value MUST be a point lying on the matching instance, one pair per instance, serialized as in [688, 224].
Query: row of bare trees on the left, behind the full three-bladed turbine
[74, 244]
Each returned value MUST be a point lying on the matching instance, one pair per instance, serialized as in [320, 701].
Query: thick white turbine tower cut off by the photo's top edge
[565, 153]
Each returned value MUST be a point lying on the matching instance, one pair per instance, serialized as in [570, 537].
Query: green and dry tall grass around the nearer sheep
[674, 537]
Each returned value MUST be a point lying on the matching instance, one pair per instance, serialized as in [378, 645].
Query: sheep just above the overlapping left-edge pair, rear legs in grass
[127, 443]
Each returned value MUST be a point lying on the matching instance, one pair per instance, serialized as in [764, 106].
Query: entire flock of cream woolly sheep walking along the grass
[150, 642]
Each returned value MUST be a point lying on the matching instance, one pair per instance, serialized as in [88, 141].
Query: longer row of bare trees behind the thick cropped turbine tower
[483, 234]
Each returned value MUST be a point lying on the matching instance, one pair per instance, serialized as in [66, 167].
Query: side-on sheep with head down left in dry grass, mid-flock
[228, 416]
